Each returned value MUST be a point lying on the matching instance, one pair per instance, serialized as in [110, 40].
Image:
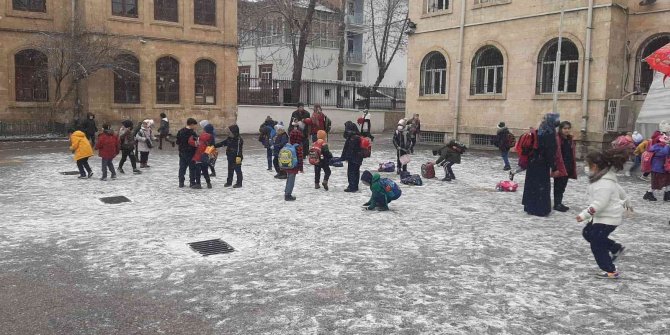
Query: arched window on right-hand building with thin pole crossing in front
[567, 72]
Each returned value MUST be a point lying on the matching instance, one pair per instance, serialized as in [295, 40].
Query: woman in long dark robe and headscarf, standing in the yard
[537, 188]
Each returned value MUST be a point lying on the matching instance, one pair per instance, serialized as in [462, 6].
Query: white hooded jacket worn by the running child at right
[607, 200]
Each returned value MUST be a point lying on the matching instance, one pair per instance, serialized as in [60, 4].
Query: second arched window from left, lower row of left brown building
[127, 80]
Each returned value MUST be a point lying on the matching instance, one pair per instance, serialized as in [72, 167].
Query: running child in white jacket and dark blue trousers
[608, 201]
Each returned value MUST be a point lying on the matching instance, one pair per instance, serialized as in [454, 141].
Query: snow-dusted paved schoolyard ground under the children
[450, 258]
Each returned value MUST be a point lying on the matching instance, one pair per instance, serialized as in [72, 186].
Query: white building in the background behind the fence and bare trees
[269, 55]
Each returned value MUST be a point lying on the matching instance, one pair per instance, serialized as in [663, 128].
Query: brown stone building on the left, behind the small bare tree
[185, 52]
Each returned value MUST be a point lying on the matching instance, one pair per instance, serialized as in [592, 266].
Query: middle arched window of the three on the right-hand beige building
[487, 71]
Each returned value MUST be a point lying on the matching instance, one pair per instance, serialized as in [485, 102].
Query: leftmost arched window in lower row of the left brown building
[31, 70]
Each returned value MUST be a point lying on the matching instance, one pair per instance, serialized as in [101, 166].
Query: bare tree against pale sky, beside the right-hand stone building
[388, 26]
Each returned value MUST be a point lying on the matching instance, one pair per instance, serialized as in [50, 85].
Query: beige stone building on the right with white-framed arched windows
[502, 68]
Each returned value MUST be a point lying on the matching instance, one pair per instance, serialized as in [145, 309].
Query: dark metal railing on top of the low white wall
[281, 92]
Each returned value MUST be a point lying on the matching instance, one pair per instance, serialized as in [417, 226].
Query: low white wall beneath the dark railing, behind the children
[249, 118]
